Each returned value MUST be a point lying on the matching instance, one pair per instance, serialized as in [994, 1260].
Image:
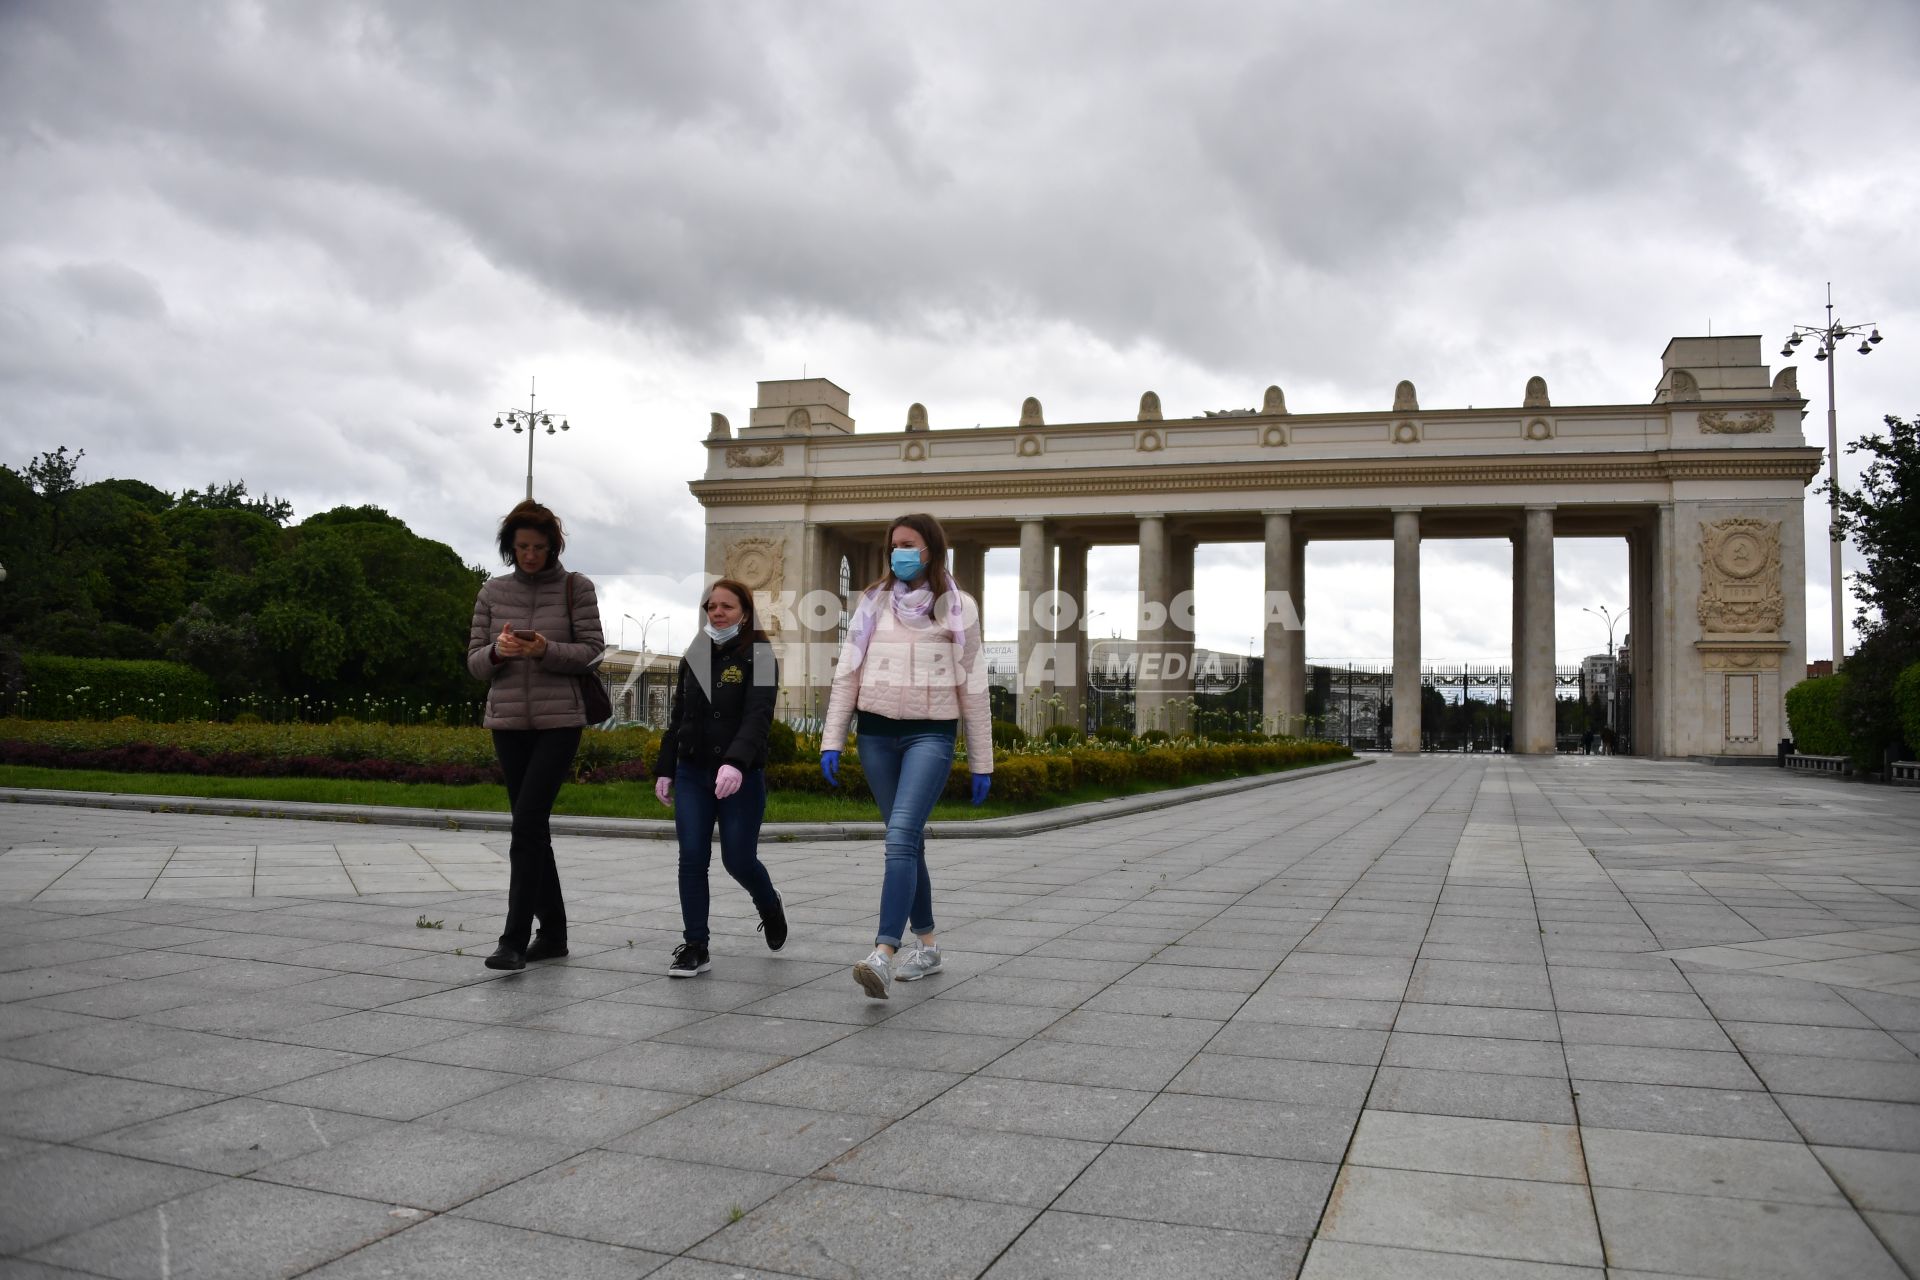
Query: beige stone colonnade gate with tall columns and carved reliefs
[1706, 485]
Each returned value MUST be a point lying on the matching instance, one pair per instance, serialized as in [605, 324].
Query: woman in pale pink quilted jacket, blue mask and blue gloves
[911, 676]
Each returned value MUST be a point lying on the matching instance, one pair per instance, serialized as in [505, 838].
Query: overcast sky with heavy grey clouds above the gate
[320, 247]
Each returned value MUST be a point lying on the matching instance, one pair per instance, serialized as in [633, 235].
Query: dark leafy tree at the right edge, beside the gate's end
[1884, 521]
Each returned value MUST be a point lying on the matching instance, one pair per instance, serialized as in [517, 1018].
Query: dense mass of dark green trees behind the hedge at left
[348, 602]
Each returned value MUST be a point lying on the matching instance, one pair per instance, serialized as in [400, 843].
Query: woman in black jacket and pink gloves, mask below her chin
[715, 757]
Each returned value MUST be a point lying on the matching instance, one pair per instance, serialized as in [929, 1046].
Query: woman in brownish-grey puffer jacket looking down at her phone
[535, 632]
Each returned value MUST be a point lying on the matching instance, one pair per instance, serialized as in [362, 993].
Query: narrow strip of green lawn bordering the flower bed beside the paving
[594, 801]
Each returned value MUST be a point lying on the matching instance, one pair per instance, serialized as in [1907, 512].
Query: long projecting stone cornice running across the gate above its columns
[1420, 473]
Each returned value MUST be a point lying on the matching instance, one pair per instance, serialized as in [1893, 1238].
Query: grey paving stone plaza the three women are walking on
[1441, 1018]
